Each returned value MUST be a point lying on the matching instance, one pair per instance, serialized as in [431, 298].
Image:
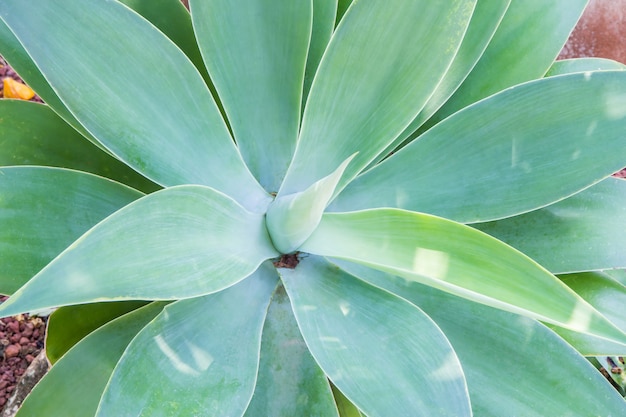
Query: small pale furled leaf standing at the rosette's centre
[292, 218]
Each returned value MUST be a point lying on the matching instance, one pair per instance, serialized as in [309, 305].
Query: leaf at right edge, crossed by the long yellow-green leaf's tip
[608, 297]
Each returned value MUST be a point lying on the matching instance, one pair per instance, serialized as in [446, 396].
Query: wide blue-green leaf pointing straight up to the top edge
[256, 53]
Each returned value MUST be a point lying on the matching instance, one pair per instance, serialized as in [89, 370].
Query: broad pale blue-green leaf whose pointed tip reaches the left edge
[181, 242]
